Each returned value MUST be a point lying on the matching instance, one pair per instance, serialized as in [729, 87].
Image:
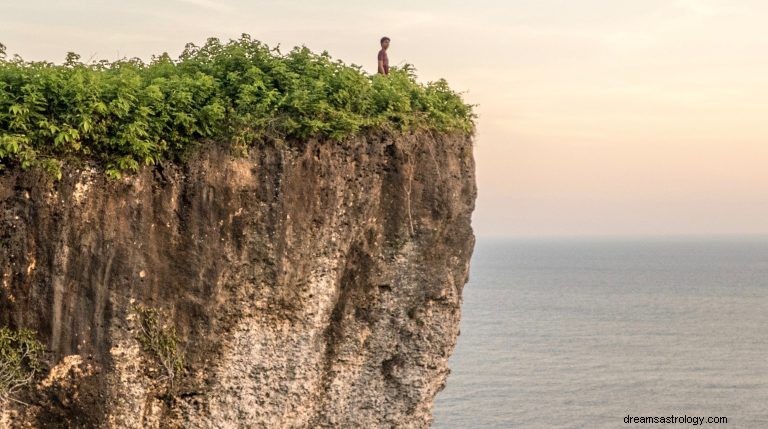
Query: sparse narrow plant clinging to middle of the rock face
[160, 340]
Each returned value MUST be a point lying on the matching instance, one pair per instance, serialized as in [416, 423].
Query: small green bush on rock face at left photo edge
[20, 360]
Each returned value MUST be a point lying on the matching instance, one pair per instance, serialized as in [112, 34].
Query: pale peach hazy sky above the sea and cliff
[596, 116]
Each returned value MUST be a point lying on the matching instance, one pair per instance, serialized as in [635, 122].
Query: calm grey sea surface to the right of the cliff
[580, 334]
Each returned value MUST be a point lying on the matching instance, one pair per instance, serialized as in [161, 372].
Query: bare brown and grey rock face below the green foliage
[311, 285]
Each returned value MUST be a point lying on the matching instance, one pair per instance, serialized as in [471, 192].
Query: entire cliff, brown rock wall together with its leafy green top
[237, 238]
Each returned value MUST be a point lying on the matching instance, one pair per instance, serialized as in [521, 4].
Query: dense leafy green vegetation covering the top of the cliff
[127, 113]
